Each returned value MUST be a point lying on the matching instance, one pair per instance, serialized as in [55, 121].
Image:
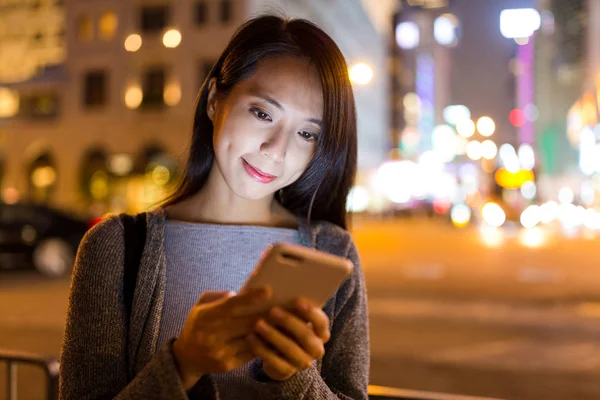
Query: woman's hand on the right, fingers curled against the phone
[288, 343]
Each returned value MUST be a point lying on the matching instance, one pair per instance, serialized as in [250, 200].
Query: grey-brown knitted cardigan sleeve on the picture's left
[93, 356]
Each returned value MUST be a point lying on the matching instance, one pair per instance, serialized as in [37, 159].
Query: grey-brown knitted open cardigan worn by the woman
[105, 358]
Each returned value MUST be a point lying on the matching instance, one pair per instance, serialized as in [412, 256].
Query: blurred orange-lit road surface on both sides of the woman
[447, 313]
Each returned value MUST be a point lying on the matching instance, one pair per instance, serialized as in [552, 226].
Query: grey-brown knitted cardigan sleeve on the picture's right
[345, 366]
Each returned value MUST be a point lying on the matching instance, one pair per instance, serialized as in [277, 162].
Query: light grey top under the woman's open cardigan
[209, 257]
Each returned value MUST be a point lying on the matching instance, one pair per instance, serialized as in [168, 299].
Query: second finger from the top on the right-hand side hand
[299, 330]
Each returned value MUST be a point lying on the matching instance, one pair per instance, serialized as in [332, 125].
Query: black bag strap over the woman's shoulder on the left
[135, 239]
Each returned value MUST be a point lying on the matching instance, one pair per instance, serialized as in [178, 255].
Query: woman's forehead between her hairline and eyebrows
[294, 82]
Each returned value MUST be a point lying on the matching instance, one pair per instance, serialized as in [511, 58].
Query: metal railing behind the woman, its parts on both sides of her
[50, 366]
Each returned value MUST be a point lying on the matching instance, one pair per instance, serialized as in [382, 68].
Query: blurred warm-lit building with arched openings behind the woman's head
[108, 127]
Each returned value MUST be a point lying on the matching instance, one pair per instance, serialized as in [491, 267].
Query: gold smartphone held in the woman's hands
[293, 271]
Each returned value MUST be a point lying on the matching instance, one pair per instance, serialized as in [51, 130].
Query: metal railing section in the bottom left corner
[13, 359]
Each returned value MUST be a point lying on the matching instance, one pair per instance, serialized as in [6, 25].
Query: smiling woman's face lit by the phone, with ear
[266, 129]
